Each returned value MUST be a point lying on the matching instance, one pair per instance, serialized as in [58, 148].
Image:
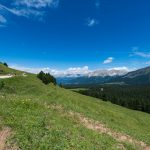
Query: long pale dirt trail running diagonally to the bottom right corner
[101, 128]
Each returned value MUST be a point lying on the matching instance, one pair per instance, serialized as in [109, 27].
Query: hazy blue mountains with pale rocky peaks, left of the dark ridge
[95, 77]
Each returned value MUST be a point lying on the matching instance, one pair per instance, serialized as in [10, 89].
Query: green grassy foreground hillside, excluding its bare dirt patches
[22, 107]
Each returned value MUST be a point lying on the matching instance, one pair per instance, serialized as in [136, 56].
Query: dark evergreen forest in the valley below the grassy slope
[133, 97]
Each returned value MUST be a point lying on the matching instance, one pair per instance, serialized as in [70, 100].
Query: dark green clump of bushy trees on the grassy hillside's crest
[46, 78]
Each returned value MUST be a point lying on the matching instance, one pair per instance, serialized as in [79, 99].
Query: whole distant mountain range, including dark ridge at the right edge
[140, 76]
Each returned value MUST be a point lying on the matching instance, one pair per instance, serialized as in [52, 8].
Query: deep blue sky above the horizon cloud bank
[62, 34]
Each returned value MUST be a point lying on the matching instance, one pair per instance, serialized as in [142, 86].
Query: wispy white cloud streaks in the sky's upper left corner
[27, 8]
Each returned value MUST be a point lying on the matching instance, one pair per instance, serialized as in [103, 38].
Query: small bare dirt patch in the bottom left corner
[4, 134]
